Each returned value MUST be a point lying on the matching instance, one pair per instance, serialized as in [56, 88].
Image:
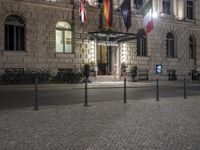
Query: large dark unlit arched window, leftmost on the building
[14, 33]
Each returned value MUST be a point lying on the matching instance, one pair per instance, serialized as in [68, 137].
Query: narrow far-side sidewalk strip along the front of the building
[108, 84]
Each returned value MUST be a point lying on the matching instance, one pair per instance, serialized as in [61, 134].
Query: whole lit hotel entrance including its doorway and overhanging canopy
[108, 49]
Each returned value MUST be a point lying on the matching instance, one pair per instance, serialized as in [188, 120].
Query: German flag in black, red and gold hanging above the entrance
[107, 10]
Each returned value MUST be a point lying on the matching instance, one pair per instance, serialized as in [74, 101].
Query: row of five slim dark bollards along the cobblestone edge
[125, 92]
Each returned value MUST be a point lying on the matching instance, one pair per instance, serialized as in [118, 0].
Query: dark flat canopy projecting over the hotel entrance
[110, 36]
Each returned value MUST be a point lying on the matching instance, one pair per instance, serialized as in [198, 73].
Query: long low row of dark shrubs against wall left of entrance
[28, 76]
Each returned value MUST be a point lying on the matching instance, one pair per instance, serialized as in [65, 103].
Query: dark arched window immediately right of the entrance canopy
[141, 43]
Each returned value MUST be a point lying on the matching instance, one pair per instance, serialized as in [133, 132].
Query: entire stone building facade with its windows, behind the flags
[173, 43]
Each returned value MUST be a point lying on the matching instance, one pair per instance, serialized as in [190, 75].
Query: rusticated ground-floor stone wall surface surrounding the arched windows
[41, 19]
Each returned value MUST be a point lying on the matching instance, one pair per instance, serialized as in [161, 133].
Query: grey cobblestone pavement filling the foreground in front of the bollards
[170, 124]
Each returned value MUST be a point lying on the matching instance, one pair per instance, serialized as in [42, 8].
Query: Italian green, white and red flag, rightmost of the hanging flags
[147, 15]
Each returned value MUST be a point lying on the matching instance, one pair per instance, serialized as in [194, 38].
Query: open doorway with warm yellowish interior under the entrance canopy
[104, 60]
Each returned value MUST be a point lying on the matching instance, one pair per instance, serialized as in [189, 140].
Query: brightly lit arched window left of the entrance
[63, 37]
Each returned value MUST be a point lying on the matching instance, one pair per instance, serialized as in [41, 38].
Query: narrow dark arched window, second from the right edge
[170, 45]
